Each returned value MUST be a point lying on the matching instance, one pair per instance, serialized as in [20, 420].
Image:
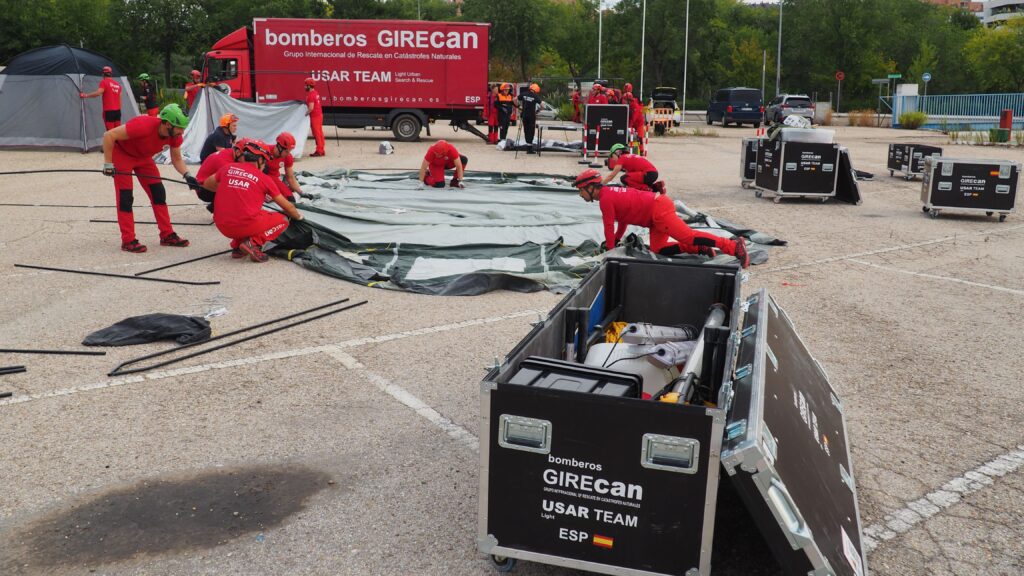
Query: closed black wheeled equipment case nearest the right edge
[970, 186]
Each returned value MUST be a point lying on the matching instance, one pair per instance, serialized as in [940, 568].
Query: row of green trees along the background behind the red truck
[732, 44]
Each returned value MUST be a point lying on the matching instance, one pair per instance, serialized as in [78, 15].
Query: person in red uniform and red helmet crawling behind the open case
[622, 208]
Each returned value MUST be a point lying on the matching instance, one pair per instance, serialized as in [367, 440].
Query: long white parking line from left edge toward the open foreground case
[162, 375]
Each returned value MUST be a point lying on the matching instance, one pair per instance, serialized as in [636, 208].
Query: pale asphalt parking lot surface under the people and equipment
[349, 445]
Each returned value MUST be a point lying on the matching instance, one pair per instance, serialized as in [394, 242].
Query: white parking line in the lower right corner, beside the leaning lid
[952, 492]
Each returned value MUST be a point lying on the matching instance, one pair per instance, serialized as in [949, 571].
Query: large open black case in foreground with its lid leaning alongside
[581, 469]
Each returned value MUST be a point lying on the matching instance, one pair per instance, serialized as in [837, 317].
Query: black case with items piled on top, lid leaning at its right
[797, 170]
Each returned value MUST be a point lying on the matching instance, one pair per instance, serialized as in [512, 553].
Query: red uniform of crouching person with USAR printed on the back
[239, 212]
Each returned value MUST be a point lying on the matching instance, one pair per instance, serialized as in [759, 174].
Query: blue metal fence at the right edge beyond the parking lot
[976, 111]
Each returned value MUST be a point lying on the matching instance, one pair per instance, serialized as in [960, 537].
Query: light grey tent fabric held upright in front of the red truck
[255, 121]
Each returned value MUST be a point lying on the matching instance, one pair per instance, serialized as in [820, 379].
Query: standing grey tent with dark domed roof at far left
[39, 102]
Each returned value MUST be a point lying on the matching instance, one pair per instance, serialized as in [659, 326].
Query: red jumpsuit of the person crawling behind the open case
[627, 207]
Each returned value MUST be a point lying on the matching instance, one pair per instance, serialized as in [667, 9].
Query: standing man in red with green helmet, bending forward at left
[130, 149]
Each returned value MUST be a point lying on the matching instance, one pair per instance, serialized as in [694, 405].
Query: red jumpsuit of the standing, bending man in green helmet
[136, 155]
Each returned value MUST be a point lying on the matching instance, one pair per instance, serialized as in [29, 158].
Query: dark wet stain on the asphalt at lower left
[161, 516]
